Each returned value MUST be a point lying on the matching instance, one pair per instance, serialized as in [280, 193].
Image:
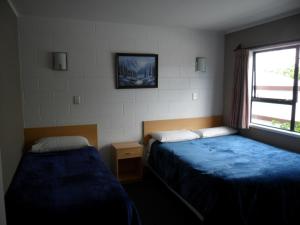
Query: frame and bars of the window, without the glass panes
[291, 102]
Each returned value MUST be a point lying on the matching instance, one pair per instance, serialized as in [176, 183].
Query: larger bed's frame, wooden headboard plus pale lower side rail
[176, 124]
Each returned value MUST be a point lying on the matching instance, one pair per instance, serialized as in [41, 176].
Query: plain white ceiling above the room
[219, 15]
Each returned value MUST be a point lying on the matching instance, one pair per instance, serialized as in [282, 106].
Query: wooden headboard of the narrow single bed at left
[88, 131]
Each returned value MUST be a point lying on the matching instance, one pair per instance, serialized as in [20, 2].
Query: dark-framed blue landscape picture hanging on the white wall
[136, 70]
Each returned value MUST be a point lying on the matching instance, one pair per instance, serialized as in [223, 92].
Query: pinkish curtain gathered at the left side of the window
[240, 104]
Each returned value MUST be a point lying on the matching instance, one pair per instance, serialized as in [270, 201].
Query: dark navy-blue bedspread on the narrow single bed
[70, 187]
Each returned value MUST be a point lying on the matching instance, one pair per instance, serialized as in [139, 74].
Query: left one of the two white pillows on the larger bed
[174, 135]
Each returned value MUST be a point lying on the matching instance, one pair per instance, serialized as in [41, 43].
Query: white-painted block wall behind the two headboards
[119, 113]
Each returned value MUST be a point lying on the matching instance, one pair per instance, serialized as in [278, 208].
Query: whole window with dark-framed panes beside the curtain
[275, 88]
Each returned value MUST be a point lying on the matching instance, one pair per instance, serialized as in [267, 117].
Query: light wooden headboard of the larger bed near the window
[177, 124]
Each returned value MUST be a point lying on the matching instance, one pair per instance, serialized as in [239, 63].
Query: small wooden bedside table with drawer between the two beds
[128, 161]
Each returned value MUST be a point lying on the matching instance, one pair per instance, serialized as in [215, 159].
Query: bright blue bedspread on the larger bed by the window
[232, 178]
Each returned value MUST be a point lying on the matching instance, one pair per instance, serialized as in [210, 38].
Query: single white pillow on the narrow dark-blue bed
[52, 144]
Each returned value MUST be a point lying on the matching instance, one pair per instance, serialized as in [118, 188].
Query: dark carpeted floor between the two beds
[157, 205]
